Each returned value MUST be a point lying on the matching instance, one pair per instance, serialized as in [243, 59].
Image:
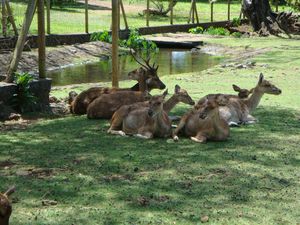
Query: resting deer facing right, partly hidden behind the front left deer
[180, 95]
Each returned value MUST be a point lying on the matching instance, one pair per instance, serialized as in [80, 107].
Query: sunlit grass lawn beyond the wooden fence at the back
[71, 19]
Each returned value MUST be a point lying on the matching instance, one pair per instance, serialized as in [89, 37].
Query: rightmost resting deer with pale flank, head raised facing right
[238, 111]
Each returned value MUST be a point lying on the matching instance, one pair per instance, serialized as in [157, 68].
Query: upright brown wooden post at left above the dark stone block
[41, 39]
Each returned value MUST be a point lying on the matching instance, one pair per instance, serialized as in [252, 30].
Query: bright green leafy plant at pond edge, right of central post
[138, 43]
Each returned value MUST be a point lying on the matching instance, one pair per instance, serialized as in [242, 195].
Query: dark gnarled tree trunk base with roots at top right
[264, 21]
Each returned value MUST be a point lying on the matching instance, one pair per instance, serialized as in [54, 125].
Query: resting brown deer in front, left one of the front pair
[147, 122]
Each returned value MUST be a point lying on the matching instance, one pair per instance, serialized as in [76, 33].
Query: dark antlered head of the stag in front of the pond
[147, 73]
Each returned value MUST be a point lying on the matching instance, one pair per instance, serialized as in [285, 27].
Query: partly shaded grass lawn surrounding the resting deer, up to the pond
[96, 178]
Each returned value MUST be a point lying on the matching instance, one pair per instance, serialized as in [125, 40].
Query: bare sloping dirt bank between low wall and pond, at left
[58, 57]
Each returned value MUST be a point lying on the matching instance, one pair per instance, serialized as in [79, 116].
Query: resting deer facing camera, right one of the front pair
[203, 124]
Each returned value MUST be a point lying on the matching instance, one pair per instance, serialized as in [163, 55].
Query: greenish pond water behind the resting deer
[170, 62]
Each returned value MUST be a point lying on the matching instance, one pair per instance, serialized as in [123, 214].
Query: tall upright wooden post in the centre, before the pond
[115, 42]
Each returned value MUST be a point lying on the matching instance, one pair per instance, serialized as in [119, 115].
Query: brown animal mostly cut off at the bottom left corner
[5, 206]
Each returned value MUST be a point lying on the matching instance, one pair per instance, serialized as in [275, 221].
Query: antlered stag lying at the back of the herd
[146, 76]
